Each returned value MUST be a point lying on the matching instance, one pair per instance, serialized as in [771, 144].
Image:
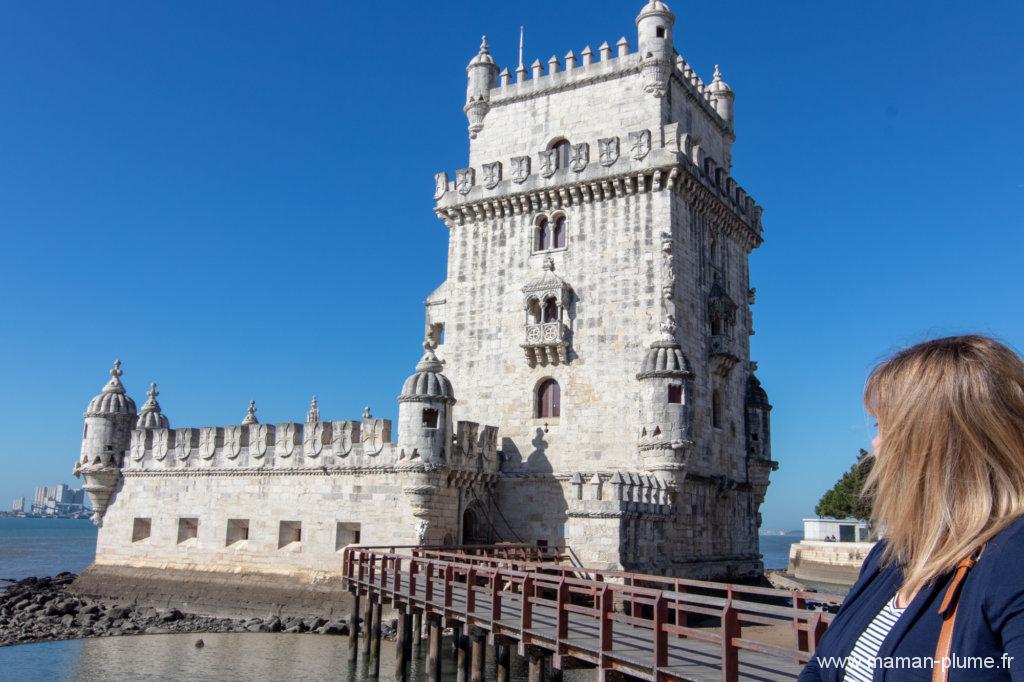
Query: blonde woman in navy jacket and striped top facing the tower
[948, 486]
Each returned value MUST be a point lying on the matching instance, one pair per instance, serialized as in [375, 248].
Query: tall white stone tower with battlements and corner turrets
[598, 306]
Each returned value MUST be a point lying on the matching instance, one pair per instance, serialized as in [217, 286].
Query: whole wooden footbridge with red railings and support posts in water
[626, 626]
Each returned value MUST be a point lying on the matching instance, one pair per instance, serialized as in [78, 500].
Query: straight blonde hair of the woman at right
[950, 468]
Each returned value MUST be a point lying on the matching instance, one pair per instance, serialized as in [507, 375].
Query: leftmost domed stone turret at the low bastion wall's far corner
[109, 421]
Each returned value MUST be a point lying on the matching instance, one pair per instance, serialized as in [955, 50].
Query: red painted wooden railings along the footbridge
[661, 607]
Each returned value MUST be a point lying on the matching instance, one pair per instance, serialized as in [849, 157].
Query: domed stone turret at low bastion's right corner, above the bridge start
[425, 412]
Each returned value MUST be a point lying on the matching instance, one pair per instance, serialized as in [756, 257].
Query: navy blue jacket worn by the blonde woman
[990, 621]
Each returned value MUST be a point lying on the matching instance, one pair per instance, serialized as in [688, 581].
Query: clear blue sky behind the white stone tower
[235, 198]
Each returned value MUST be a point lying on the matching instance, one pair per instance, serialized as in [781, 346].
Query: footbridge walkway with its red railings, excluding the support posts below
[584, 619]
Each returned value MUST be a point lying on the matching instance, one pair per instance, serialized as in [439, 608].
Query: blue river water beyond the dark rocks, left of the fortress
[46, 546]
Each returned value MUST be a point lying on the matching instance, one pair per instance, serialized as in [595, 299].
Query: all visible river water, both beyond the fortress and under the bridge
[46, 547]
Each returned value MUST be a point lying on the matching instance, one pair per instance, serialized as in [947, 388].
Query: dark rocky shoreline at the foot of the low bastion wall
[38, 610]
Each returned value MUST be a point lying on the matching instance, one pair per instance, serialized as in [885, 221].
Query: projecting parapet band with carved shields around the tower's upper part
[617, 166]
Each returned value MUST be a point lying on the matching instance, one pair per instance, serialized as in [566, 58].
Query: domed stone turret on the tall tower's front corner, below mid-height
[666, 404]
